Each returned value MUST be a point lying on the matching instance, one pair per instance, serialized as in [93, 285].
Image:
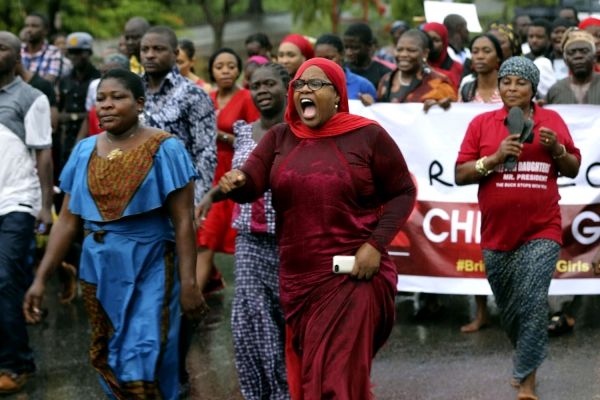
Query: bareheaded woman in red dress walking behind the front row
[232, 103]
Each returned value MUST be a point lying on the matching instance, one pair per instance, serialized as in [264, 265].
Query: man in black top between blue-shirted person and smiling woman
[358, 42]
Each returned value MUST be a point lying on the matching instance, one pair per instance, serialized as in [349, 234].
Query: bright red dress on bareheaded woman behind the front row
[216, 232]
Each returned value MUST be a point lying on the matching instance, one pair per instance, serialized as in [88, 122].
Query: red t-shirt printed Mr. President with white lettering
[519, 205]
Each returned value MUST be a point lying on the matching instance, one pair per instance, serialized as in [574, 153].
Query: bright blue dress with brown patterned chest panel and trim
[128, 270]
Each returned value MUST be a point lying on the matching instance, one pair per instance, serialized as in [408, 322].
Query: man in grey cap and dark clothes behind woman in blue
[72, 91]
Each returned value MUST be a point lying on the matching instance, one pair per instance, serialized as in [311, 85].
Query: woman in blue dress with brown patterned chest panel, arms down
[131, 188]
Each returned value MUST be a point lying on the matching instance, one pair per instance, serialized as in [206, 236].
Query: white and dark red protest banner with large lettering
[438, 250]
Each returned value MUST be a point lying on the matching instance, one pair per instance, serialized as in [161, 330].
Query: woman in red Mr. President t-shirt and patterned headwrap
[518, 197]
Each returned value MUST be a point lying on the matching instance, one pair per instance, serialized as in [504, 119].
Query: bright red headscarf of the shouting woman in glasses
[342, 122]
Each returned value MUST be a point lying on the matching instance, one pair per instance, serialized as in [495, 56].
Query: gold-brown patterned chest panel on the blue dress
[113, 183]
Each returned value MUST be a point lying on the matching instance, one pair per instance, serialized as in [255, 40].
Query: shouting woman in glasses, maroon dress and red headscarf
[340, 187]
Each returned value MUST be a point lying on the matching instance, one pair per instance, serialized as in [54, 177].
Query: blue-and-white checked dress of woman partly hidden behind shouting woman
[257, 320]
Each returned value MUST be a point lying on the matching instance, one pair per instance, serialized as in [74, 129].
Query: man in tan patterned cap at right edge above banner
[582, 86]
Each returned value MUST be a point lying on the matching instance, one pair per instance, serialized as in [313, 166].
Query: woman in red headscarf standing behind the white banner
[438, 55]
